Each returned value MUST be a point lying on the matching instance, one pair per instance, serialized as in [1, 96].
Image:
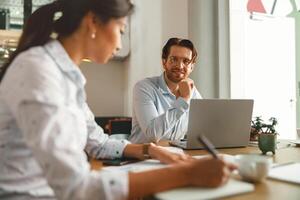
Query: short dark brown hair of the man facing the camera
[179, 42]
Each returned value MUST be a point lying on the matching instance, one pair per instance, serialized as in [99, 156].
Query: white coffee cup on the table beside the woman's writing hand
[253, 168]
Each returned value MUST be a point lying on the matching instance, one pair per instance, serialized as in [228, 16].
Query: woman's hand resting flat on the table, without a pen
[166, 156]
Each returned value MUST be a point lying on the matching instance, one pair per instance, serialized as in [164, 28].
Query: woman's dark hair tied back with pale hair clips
[41, 24]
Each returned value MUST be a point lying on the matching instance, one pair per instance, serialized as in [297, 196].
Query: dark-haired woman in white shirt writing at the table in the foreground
[46, 124]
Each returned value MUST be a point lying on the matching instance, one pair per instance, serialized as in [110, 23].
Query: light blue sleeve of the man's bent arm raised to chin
[155, 125]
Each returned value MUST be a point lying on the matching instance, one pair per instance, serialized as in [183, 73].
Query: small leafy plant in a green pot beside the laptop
[265, 133]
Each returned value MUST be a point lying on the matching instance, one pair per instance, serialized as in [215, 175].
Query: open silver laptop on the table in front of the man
[225, 122]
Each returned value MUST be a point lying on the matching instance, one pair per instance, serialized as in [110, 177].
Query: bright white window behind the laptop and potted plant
[262, 60]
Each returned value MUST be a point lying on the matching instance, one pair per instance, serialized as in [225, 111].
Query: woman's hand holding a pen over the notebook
[208, 172]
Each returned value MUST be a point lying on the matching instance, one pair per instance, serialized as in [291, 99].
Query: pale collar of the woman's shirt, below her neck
[64, 62]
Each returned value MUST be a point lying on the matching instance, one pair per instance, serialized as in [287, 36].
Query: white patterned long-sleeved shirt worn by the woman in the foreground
[45, 126]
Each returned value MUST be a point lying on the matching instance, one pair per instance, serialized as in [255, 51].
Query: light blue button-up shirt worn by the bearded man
[157, 114]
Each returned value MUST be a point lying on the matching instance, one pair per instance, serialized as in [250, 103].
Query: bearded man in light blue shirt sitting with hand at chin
[161, 103]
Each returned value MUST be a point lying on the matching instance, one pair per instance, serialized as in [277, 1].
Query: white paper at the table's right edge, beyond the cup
[289, 172]
